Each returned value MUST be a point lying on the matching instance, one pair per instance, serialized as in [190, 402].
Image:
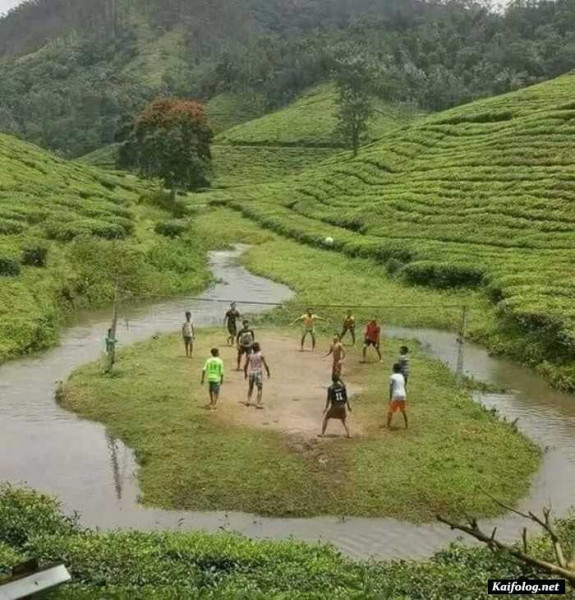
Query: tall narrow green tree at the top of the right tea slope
[354, 106]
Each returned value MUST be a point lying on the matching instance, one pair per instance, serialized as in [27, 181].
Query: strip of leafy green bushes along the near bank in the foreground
[193, 565]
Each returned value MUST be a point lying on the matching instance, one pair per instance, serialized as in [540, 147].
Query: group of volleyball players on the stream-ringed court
[337, 403]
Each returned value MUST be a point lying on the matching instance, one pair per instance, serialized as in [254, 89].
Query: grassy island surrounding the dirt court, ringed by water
[191, 459]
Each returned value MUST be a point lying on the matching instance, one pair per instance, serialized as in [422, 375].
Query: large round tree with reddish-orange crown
[170, 139]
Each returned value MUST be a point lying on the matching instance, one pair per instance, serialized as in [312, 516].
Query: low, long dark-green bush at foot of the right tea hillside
[443, 275]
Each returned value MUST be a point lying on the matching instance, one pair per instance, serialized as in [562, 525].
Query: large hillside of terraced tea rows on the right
[480, 196]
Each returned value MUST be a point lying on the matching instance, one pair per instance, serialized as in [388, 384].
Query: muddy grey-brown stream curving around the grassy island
[51, 450]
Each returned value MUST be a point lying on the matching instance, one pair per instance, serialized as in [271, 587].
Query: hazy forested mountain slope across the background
[71, 74]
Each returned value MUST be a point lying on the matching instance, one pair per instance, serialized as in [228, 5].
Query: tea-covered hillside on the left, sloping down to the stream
[68, 233]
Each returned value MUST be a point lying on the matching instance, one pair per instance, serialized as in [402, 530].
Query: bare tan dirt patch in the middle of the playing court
[294, 397]
